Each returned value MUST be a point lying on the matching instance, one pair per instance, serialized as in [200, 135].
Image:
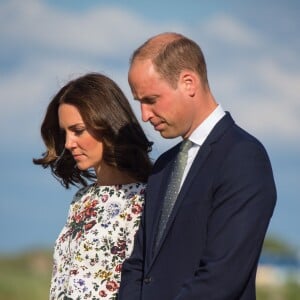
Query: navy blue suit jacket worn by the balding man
[213, 239]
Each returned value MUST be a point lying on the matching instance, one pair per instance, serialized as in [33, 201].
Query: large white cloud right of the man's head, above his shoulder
[264, 98]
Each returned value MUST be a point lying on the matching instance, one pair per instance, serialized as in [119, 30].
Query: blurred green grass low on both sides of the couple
[27, 277]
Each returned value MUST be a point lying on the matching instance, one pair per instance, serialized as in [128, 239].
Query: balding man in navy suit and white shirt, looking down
[208, 245]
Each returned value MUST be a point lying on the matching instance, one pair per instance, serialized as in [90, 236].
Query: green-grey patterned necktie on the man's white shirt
[173, 186]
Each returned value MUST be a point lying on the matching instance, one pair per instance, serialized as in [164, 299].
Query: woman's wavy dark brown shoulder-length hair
[109, 118]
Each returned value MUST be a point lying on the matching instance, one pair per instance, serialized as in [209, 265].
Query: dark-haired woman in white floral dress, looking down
[91, 132]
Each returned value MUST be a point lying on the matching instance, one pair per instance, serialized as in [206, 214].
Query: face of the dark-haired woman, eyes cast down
[86, 150]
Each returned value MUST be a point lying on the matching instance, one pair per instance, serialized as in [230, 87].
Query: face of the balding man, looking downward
[165, 107]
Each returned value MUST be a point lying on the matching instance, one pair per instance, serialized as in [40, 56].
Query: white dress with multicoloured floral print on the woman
[97, 237]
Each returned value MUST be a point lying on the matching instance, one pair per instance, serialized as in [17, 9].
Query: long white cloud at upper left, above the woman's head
[101, 31]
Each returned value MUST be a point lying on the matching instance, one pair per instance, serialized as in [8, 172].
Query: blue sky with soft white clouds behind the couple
[252, 51]
